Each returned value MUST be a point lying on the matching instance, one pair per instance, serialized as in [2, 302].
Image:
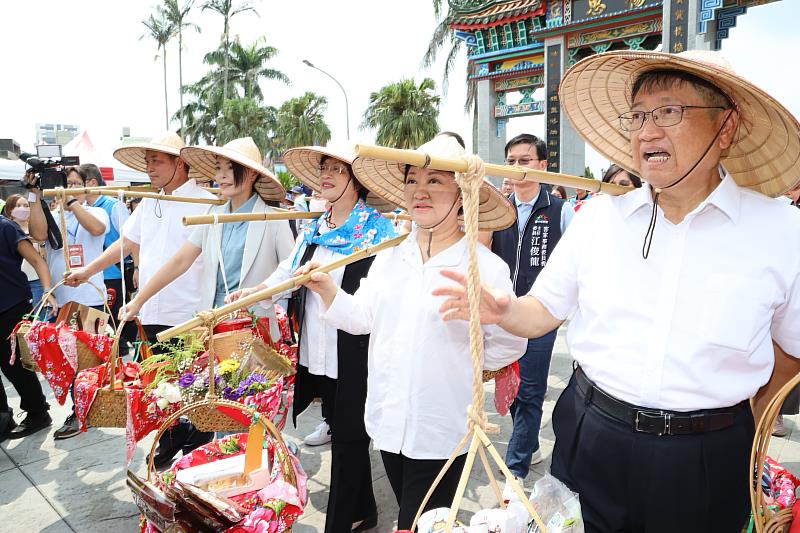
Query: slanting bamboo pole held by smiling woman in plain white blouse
[289, 284]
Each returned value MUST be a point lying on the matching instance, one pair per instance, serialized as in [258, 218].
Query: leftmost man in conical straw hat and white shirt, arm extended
[155, 230]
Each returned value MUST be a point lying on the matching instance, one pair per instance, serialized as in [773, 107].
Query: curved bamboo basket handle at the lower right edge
[765, 519]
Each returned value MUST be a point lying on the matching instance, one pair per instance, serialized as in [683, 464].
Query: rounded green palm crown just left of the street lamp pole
[300, 122]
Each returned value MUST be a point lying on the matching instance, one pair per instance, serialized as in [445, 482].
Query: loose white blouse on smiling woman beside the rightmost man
[420, 368]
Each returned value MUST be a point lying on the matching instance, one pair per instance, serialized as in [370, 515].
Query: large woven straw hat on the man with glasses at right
[765, 155]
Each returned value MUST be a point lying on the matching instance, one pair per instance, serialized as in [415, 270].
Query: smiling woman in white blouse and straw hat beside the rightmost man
[420, 370]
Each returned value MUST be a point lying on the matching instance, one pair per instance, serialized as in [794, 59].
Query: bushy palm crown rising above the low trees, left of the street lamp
[246, 66]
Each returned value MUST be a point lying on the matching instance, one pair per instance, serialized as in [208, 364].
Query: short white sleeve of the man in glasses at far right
[556, 287]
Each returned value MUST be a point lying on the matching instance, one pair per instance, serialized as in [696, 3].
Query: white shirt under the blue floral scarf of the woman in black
[317, 350]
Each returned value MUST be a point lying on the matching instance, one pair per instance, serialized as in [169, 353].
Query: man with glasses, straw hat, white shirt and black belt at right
[654, 430]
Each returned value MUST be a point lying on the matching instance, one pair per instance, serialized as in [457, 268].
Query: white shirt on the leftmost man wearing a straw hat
[157, 227]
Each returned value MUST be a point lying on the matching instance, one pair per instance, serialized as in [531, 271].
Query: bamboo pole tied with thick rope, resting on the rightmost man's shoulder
[419, 159]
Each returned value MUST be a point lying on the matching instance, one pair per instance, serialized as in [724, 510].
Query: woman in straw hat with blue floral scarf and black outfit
[333, 363]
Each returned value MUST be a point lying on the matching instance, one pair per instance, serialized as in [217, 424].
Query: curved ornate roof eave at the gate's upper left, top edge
[479, 15]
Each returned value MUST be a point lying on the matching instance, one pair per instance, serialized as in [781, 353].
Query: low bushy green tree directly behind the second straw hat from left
[242, 117]
